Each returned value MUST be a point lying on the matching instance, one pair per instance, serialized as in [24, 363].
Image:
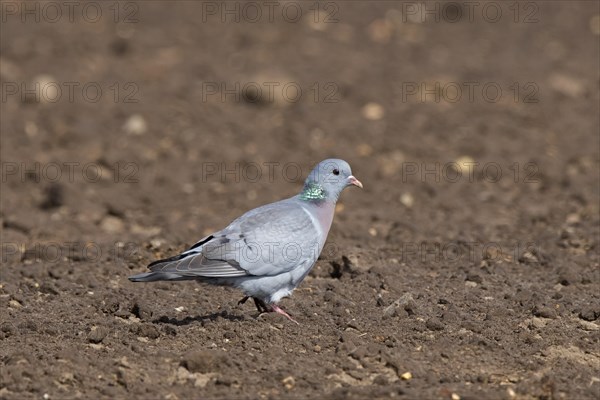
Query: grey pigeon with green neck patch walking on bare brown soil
[267, 251]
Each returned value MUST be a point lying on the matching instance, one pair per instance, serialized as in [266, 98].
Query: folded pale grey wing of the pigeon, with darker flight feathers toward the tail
[268, 240]
